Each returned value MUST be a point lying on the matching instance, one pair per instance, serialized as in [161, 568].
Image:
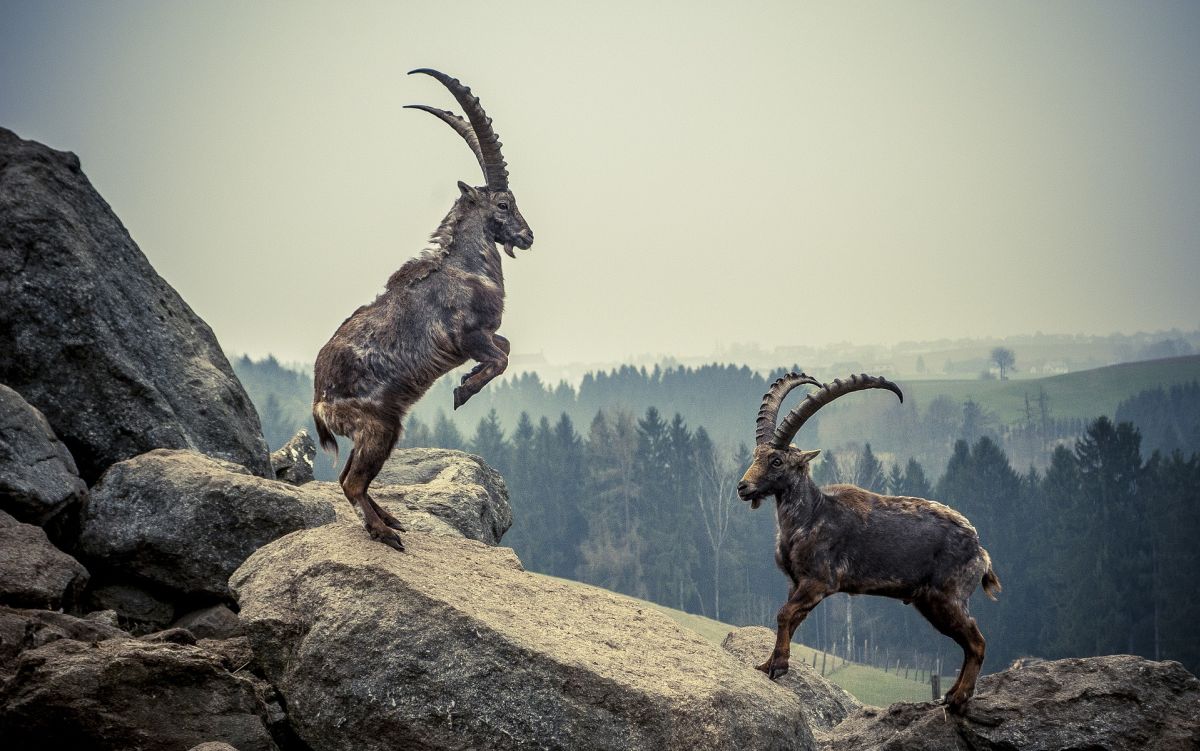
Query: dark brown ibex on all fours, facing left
[845, 539]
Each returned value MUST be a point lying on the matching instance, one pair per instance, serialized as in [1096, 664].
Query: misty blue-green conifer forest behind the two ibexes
[1093, 533]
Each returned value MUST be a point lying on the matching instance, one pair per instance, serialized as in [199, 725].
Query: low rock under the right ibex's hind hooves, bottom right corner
[1115, 702]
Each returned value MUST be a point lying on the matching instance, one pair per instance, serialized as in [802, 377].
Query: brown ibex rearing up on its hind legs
[437, 313]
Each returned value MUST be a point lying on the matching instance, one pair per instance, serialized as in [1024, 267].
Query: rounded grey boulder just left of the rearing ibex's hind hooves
[184, 522]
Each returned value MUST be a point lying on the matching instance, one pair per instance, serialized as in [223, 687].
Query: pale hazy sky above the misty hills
[697, 173]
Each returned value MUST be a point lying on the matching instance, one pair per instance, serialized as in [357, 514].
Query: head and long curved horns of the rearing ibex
[503, 220]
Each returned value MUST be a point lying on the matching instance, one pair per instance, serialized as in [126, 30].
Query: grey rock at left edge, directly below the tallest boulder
[38, 477]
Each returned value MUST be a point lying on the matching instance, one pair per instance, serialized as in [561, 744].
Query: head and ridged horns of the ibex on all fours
[777, 464]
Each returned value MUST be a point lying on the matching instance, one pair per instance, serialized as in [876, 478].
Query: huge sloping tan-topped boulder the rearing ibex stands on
[452, 646]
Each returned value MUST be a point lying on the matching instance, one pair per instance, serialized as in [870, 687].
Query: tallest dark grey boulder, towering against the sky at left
[95, 339]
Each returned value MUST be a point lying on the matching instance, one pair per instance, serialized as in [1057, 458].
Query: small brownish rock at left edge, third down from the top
[34, 573]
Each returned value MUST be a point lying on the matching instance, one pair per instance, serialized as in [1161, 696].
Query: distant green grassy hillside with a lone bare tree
[1087, 394]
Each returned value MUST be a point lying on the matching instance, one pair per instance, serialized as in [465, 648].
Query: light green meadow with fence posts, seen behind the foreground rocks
[868, 684]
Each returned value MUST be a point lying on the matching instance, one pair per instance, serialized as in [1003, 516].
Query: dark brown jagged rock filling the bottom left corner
[130, 694]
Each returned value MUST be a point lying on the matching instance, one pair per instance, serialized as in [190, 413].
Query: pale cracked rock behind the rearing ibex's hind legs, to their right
[458, 488]
